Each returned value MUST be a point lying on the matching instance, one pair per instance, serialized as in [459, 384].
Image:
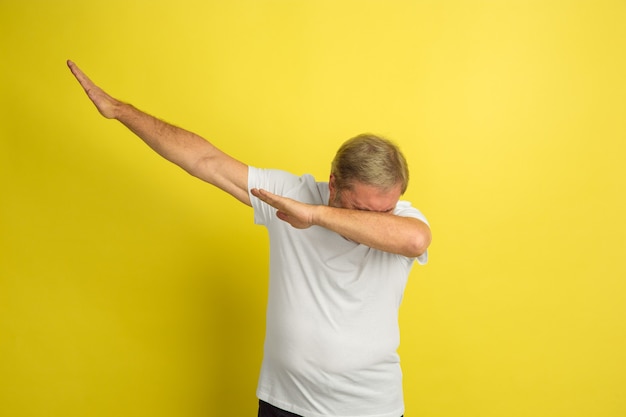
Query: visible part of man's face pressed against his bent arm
[364, 197]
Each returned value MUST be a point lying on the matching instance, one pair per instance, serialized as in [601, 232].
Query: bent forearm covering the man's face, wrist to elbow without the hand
[387, 232]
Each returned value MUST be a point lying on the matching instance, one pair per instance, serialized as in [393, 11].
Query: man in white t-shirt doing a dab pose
[340, 255]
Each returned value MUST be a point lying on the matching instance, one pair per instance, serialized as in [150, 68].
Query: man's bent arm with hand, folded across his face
[383, 231]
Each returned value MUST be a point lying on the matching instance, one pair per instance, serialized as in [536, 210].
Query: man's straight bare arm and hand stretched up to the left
[191, 152]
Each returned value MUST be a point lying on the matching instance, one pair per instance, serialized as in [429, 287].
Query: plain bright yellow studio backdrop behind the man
[128, 288]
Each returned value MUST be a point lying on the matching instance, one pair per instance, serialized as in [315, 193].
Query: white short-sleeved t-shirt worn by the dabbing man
[332, 315]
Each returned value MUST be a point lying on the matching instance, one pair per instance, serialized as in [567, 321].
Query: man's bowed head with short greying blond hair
[368, 163]
